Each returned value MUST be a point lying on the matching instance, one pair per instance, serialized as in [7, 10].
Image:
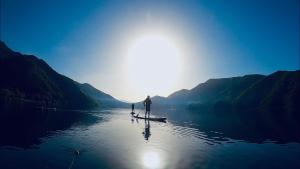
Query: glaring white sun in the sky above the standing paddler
[154, 64]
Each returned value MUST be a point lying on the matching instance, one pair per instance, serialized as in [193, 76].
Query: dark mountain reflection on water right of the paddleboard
[216, 128]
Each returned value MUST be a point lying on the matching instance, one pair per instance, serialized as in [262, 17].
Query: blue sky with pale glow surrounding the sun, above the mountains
[85, 39]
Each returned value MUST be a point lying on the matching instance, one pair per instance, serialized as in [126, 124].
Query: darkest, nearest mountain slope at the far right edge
[279, 91]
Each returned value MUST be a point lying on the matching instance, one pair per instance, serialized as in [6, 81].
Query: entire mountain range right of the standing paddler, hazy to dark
[279, 90]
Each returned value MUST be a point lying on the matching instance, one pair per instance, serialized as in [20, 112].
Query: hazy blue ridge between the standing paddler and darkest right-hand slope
[208, 93]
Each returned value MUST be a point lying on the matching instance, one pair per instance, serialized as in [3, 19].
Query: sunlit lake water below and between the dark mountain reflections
[113, 139]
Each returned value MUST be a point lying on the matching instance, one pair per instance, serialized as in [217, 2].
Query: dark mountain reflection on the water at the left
[25, 126]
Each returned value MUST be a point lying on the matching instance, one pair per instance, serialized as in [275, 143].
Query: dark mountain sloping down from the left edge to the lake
[29, 79]
